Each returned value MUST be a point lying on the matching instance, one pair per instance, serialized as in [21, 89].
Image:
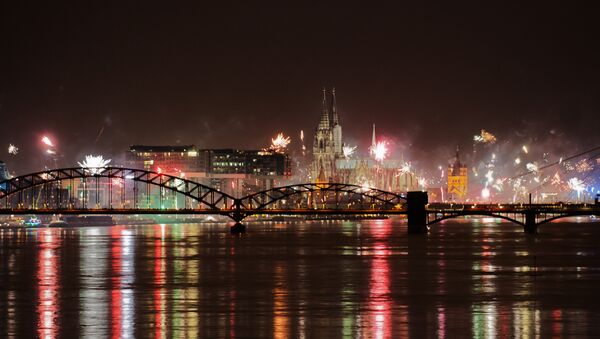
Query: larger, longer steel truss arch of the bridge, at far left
[204, 195]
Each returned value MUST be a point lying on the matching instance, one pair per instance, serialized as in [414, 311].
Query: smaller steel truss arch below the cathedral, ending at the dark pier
[344, 193]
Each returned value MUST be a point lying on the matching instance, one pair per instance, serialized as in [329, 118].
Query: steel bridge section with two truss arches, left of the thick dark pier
[118, 190]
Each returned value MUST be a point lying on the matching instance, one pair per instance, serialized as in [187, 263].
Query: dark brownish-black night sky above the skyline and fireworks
[228, 74]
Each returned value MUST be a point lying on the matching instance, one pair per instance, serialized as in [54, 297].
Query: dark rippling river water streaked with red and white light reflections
[304, 279]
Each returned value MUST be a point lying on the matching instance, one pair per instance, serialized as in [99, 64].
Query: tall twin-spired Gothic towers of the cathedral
[327, 145]
